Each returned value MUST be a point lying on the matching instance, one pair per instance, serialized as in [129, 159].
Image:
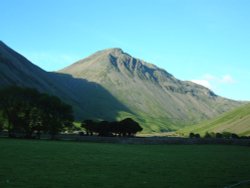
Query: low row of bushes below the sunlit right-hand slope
[226, 135]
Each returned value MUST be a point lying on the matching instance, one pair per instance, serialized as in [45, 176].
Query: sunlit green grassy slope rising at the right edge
[236, 121]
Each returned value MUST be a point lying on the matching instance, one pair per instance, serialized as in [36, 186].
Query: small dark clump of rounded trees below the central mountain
[126, 127]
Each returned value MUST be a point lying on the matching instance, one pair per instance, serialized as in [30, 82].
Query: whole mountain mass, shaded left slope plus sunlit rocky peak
[111, 84]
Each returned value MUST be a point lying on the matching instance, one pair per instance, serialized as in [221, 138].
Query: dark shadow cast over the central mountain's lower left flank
[89, 99]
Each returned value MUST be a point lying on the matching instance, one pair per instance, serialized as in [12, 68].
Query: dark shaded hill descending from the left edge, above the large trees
[17, 70]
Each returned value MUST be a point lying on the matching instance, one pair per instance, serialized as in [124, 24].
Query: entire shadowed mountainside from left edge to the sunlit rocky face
[83, 95]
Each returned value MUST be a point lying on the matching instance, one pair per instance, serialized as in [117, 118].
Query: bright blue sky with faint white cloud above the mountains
[206, 41]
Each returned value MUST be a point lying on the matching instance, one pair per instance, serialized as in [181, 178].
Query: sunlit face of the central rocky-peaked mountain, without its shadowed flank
[155, 98]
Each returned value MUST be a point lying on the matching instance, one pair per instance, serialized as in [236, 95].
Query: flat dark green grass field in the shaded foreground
[34, 163]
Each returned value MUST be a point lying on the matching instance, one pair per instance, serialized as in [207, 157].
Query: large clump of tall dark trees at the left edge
[26, 111]
